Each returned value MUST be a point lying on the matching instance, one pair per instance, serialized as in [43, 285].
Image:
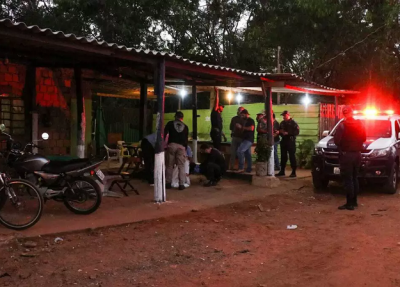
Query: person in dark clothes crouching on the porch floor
[214, 166]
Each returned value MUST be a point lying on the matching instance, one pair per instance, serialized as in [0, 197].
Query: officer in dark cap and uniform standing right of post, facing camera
[288, 130]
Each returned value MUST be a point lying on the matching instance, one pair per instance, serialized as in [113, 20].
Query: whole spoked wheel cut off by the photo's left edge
[21, 204]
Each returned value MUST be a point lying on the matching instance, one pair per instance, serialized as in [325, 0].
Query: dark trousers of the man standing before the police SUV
[350, 163]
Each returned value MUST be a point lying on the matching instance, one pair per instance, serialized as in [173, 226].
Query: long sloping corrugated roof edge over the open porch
[288, 77]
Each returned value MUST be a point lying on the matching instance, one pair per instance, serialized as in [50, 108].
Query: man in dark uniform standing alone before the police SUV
[349, 138]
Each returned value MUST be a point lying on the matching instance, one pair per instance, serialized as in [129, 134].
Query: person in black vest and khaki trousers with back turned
[178, 134]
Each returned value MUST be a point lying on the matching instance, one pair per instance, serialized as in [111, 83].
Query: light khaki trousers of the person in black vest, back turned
[176, 154]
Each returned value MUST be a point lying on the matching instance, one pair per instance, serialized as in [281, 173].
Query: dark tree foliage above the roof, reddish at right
[341, 43]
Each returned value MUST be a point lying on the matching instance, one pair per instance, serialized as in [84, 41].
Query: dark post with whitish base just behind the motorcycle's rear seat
[80, 108]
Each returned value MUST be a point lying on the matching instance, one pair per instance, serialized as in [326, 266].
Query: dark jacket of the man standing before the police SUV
[350, 135]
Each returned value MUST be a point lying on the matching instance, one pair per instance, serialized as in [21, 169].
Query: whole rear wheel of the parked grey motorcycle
[83, 196]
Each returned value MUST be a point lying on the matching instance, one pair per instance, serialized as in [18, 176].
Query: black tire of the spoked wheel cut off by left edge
[33, 192]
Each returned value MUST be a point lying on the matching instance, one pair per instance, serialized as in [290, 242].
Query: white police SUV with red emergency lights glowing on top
[380, 156]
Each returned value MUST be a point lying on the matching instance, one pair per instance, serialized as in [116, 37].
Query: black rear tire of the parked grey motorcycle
[83, 196]
